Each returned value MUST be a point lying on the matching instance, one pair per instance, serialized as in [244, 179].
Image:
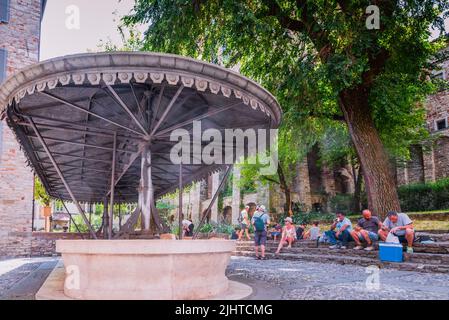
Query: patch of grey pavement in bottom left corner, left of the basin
[21, 278]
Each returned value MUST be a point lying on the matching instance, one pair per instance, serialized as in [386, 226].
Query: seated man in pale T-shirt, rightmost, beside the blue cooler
[401, 226]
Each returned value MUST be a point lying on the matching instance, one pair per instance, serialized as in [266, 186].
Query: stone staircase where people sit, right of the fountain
[426, 257]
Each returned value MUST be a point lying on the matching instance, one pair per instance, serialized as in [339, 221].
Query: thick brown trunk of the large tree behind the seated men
[379, 183]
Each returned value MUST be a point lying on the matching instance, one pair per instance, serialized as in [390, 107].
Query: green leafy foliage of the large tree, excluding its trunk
[307, 53]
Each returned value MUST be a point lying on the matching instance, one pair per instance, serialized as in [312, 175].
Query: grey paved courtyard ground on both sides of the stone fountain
[270, 279]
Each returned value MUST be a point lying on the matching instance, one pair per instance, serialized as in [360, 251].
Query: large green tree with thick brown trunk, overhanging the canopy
[320, 60]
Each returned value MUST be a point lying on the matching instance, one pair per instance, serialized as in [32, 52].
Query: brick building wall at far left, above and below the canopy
[20, 37]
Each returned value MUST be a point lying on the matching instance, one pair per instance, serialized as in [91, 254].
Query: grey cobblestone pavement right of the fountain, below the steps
[297, 280]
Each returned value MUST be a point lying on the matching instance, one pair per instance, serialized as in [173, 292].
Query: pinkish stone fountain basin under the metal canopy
[145, 269]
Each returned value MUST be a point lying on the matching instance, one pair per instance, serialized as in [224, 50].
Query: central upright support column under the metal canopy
[146, 188]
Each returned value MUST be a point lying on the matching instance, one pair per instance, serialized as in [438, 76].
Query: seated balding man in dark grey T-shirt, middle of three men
[366, 231]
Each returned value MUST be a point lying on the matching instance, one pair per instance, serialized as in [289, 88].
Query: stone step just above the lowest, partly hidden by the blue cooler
[432, 258]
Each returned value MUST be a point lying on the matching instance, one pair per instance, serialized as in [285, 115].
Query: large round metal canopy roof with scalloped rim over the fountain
[79, 103]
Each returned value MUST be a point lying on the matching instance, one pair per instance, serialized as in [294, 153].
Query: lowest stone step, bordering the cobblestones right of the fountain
[362, 261]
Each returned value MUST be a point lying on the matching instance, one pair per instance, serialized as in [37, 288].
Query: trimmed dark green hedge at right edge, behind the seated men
[425, 196]
